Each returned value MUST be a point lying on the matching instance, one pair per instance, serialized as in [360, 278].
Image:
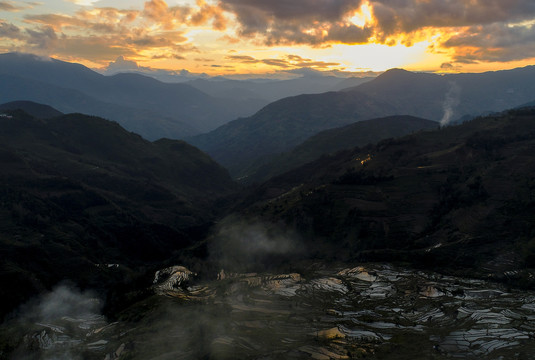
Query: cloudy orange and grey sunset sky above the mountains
[225, 37]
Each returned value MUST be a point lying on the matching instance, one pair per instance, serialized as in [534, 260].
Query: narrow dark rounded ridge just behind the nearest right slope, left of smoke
[329, 141]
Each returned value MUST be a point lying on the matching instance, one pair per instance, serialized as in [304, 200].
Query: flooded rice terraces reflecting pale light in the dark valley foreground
[376, 311]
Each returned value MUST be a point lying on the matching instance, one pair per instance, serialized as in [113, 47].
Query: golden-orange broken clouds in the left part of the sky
[100, 34]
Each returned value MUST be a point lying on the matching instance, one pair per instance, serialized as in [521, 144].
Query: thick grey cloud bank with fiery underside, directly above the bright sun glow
[316, 22]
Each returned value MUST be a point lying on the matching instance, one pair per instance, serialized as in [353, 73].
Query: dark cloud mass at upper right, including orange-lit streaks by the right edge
[476, 23]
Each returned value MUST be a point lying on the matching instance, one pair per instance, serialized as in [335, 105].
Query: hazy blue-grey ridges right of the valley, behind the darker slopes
[245, 144]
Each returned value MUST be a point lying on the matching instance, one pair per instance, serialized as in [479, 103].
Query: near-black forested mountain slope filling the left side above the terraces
[79, 191]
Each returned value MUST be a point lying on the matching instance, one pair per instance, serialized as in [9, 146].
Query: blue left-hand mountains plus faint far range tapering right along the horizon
[142, 104]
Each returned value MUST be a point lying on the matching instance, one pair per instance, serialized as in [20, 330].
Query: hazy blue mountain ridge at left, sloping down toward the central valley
[123, 95]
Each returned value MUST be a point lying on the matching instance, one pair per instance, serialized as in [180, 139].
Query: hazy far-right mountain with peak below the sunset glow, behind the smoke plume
[435, 97]
